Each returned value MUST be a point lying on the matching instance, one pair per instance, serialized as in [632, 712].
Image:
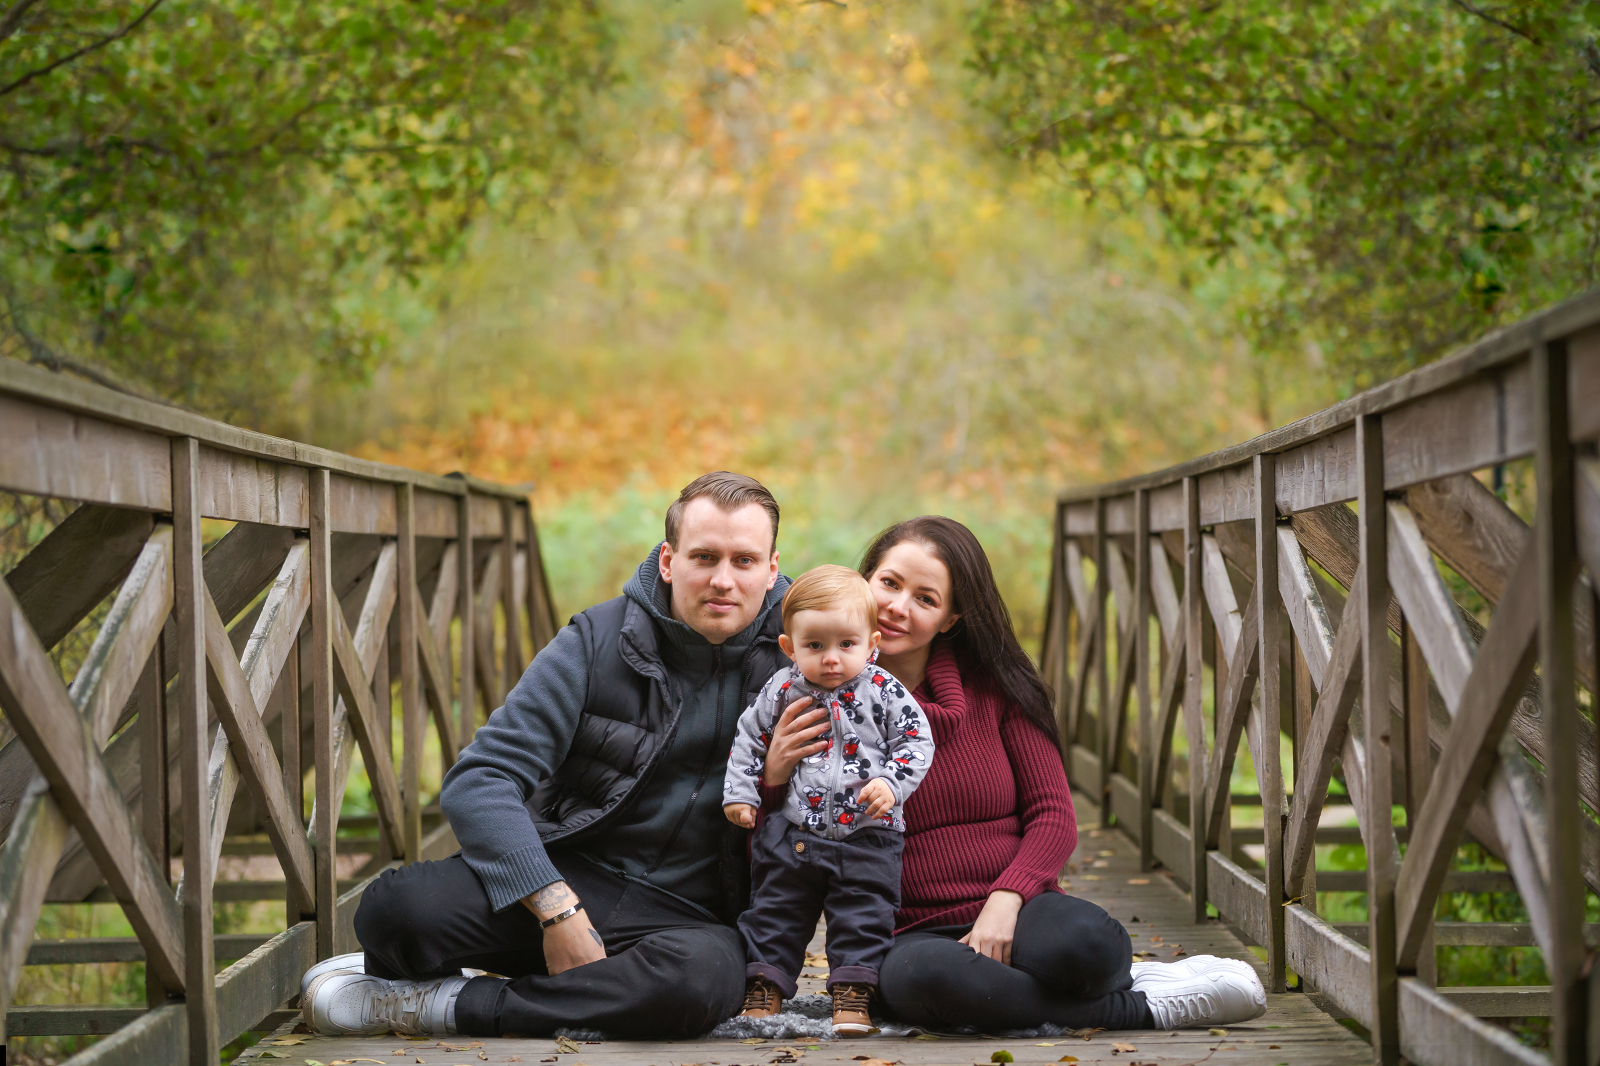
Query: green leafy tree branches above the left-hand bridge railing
[193, 191]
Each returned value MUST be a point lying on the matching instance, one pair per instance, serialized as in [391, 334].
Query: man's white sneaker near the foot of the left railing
[358, 1004]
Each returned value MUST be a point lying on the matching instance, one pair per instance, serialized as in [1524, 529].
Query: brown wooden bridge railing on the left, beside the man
[337, 582]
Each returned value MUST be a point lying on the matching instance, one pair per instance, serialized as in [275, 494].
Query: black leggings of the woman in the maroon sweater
[1070, 969]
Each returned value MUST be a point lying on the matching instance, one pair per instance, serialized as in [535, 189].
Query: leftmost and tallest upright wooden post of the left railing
[193, 753]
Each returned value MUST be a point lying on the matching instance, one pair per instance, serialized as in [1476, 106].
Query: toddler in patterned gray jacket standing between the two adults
[838, 849]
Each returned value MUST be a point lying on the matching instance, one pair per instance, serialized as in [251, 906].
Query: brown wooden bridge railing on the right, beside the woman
[1249, 577]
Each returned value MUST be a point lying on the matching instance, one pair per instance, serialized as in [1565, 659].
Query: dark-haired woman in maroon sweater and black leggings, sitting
[985, 937]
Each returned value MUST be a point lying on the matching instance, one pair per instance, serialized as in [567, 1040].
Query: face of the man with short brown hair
[722, 567]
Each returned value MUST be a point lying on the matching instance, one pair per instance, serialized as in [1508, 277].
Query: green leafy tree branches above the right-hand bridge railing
[1406, 172]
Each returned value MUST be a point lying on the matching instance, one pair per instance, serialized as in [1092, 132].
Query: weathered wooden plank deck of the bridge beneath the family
[1105, 870]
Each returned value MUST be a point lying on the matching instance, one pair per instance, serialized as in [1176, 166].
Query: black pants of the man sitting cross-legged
[668, 974]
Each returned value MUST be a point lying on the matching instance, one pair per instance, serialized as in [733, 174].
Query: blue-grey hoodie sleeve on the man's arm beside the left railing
[519, 748]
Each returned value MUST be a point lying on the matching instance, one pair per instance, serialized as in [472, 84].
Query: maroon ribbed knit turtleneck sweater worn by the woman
[994, 811]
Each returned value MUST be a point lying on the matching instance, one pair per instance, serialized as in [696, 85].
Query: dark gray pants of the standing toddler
[796, 876]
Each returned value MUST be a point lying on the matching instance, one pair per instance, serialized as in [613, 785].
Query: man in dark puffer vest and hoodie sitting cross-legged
[596, 870]
